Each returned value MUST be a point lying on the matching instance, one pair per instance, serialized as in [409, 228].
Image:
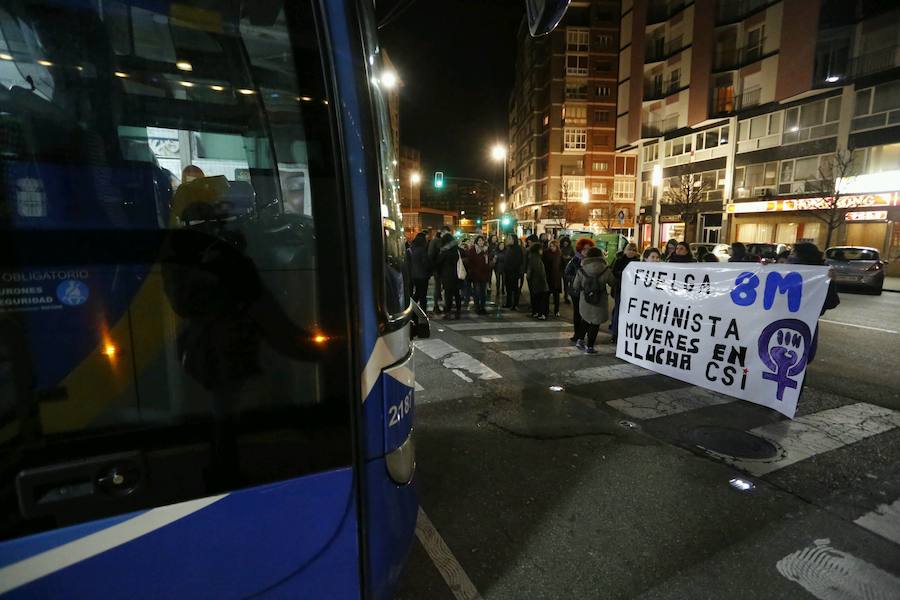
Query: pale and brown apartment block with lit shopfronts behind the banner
[753, 100]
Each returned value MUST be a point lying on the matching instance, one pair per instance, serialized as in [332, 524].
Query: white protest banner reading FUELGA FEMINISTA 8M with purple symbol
[742, 329]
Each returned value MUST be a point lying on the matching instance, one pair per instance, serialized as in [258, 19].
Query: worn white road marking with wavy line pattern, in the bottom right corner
[831, 574]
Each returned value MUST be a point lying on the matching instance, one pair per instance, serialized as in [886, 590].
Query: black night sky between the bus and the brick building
[456, 59]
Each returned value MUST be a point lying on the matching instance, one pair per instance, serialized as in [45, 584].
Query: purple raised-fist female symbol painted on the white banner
[784, 349]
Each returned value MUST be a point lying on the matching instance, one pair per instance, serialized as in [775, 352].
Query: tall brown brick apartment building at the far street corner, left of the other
[563, 169]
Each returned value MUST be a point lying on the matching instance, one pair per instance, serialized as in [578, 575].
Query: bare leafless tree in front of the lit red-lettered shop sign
[832, 204]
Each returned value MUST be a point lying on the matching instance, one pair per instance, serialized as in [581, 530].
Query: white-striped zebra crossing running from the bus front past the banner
[544, 346]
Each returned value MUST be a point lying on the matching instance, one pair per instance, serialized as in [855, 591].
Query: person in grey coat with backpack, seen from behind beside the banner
[590, 283]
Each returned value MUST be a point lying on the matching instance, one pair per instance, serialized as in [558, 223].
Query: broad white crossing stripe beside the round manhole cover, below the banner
[813, 434]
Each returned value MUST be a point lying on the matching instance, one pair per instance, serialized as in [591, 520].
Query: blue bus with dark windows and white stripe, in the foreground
[206, 387]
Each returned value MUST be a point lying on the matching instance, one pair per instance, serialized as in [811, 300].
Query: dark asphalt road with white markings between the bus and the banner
[528, 492]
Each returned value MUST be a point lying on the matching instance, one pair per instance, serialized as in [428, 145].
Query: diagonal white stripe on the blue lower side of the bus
[66, 555]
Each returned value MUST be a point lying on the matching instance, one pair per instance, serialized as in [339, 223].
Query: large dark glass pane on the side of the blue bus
[170, 289]
